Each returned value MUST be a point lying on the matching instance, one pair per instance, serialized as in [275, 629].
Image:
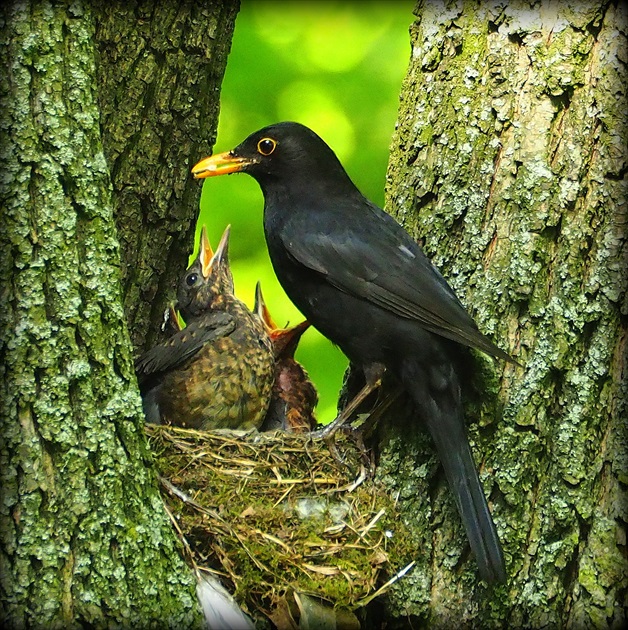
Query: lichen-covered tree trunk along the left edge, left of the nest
[85, 537]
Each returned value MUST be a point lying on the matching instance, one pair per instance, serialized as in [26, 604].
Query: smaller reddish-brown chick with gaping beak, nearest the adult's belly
[294, 395]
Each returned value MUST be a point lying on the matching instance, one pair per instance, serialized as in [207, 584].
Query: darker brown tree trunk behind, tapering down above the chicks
[160, 69]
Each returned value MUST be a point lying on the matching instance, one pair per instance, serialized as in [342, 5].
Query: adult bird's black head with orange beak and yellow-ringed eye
[285, 151]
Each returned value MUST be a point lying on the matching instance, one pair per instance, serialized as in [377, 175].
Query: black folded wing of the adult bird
[384, 266]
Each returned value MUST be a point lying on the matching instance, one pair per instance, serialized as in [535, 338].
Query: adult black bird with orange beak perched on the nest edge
[361, 280]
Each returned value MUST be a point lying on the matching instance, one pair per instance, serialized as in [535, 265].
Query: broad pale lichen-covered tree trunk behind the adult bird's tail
[509, 162]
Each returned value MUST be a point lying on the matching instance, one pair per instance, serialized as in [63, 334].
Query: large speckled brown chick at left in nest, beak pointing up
[218, 371]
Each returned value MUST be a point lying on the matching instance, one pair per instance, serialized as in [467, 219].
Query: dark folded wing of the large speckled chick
[184, 344]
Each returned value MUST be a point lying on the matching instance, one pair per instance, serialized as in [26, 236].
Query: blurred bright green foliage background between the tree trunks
[336, 67]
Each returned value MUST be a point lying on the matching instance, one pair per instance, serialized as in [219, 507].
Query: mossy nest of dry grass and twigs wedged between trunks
[274, 514]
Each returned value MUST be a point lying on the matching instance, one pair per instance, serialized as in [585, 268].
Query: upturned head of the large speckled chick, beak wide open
[208, 280]
